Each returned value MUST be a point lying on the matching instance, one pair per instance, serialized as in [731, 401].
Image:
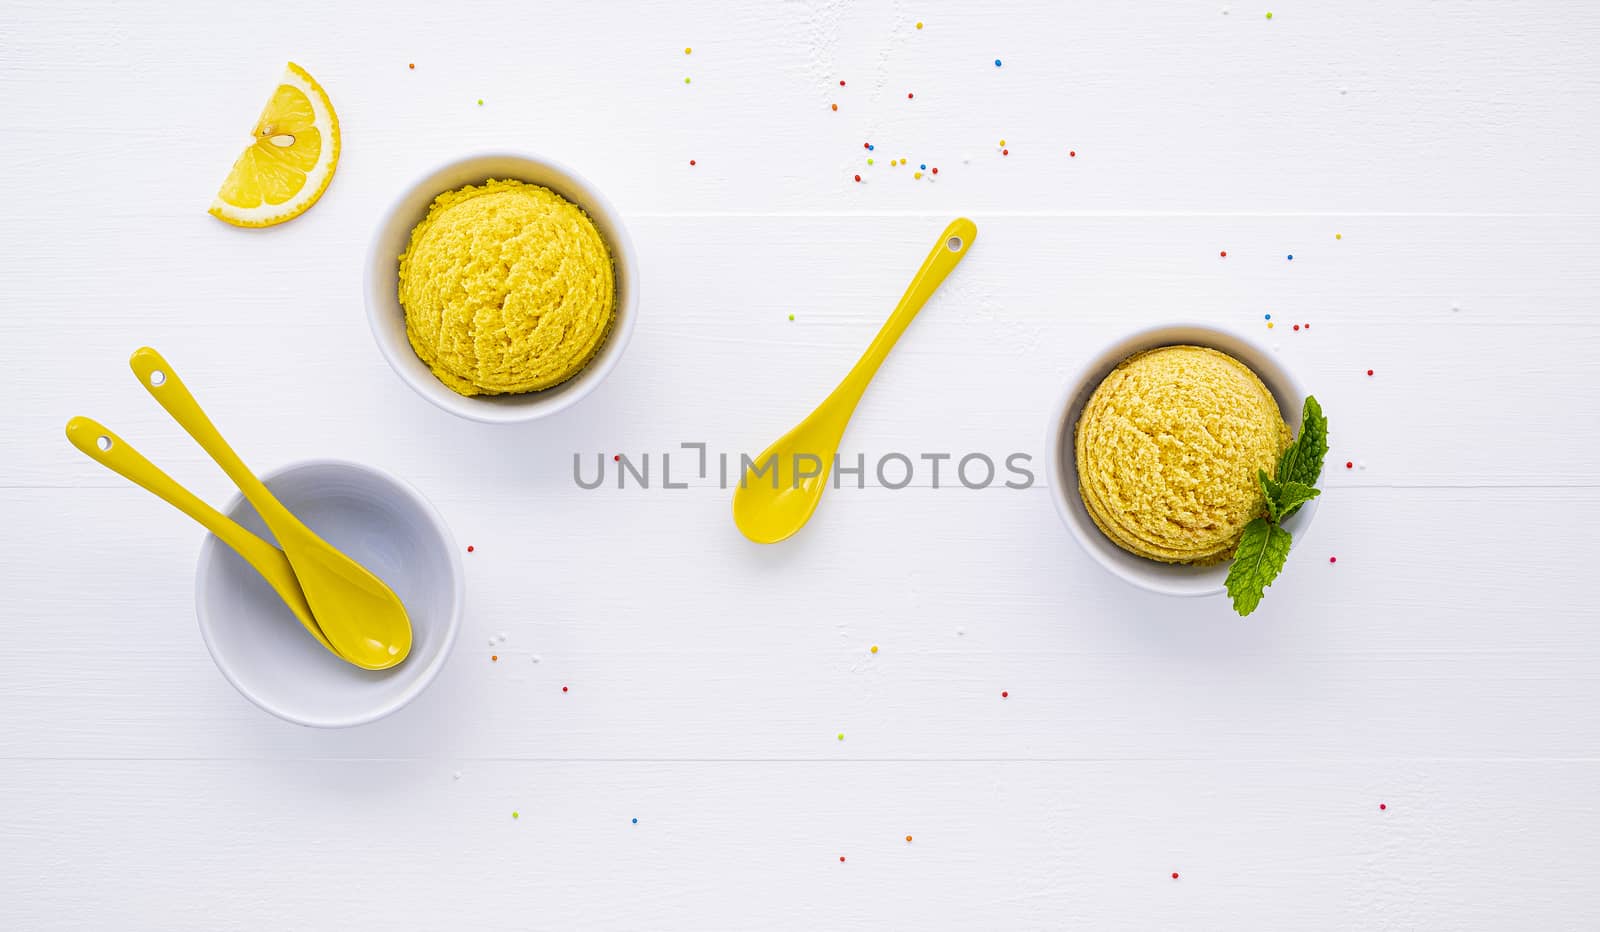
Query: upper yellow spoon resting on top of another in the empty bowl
[358, 613]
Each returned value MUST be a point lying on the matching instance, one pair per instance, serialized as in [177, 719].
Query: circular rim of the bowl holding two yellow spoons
[210, 545]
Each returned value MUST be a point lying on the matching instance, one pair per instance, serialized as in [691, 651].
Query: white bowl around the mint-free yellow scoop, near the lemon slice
[383, 284]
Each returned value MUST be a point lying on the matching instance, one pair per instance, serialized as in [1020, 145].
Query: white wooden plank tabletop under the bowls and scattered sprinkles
[1404, 739]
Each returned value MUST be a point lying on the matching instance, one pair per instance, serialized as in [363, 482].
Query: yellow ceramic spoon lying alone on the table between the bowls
[772, 508]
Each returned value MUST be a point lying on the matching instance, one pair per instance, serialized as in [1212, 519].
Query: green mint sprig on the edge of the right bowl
[1265, 544]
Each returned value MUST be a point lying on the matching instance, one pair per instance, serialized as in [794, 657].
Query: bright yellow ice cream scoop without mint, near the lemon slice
[506, 287]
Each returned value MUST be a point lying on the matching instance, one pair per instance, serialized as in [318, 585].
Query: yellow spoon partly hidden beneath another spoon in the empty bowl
[114, 454]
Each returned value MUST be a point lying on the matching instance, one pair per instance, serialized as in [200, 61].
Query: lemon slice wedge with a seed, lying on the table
[292, 159]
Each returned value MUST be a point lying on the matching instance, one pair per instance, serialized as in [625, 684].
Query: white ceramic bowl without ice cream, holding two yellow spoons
[260, 646]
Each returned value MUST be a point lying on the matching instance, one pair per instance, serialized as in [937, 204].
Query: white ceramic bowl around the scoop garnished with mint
[1063, 468]
